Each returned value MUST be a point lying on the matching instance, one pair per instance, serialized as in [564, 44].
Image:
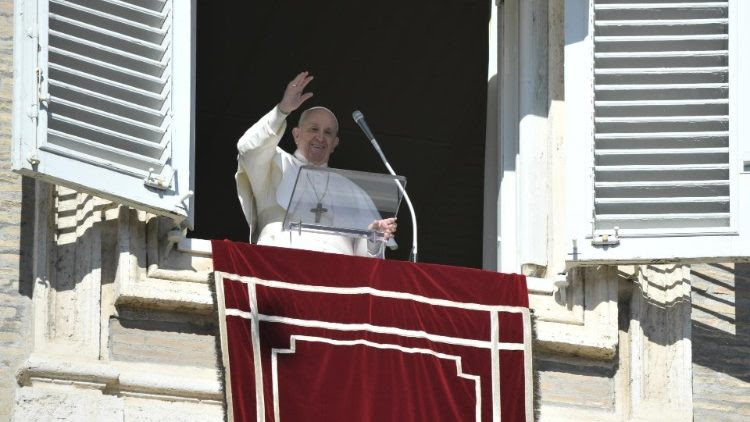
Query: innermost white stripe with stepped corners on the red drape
[384, 346]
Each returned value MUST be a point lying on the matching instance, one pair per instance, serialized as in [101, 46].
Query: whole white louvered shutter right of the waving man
[666, 178]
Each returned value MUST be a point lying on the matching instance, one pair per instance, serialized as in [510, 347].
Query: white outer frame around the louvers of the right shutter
[648, 245]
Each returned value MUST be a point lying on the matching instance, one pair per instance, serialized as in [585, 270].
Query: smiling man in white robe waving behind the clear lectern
[266, 175]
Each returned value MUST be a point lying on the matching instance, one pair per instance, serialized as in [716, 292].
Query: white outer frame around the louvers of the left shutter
[29, 133]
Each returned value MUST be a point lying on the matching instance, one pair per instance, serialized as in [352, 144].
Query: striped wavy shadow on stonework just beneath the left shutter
[81, 239]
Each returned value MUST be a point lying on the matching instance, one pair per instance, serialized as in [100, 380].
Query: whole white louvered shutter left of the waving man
[104, 98]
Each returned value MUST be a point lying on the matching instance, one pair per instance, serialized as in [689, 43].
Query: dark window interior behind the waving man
[418, 71]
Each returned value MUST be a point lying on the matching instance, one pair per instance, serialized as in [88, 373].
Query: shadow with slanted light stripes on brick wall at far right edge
[721, 318]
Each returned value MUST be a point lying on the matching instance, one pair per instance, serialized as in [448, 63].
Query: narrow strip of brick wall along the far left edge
[15, 217]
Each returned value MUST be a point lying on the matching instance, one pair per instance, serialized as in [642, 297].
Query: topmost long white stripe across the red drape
[373, 292]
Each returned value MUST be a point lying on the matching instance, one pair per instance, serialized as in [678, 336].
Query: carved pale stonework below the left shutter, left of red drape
[124, 327]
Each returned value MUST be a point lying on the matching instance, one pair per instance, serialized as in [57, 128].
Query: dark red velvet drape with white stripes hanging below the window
[322, 337]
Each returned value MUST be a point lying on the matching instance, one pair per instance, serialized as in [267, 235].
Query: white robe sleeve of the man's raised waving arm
[256, 149]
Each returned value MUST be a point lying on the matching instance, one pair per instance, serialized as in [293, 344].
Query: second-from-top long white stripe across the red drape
[378, 329]
